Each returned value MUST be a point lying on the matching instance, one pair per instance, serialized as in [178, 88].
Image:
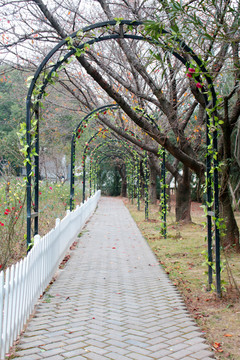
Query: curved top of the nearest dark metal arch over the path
[72, 48]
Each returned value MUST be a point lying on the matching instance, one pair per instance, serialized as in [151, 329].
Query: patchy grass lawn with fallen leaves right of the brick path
[182, 256]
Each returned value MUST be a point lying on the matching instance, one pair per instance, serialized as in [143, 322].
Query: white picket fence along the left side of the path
[24, 282]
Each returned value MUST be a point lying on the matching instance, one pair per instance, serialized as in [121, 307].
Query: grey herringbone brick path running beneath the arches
[112, 301]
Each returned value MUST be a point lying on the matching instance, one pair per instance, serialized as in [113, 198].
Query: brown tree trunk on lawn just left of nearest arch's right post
[183, 197]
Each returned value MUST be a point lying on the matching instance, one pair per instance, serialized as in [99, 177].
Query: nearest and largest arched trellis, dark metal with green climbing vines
[33, 109]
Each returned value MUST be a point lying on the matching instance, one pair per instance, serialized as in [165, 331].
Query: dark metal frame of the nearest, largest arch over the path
[204, 73]
